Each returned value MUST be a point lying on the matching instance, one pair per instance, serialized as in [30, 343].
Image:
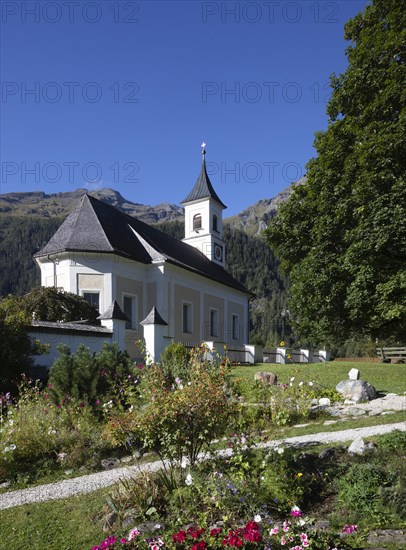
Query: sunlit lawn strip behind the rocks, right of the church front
[385, 377]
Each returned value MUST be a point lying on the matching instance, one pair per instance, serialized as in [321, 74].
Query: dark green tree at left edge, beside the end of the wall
[16, 347]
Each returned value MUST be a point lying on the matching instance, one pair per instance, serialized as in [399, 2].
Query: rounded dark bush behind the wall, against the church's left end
[51, 304]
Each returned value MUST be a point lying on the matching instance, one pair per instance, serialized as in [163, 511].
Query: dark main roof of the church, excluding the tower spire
[95, 226]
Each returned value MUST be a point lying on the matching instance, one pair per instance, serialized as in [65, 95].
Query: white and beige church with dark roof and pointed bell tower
[109, 257]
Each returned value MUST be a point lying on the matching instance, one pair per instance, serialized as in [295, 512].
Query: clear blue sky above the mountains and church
[121, 94]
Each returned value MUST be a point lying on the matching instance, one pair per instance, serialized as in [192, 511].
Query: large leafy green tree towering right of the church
[342, 235]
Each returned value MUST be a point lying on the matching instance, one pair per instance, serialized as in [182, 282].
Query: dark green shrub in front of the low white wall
[89, 377]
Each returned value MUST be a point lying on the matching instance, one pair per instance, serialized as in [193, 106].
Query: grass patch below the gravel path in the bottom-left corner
[69, 524]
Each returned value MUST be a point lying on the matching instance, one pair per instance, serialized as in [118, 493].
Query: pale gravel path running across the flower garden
[93, 482]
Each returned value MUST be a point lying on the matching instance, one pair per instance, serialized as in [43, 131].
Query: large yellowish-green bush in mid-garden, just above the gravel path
[182, 417]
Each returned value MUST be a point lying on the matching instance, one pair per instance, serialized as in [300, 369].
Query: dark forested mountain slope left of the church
[20, 238]
